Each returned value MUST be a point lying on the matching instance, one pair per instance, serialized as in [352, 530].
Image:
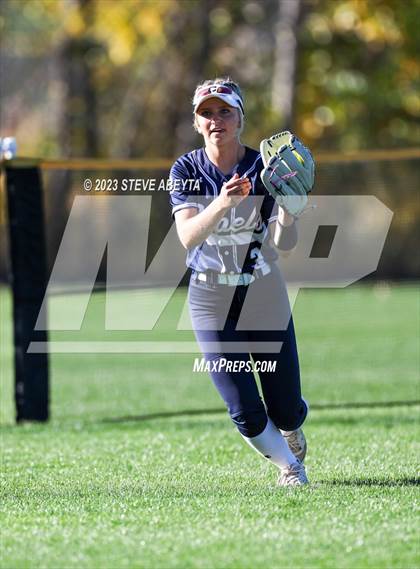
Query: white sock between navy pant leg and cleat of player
[271, 444]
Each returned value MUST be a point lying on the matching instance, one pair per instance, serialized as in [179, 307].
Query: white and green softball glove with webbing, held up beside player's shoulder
[289, 171]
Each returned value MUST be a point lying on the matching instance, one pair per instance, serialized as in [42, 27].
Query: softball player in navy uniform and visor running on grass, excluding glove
[237, 296]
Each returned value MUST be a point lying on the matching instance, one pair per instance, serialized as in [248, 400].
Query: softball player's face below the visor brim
[218, 122]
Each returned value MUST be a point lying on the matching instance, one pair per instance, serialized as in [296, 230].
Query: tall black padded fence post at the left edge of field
[28, 279]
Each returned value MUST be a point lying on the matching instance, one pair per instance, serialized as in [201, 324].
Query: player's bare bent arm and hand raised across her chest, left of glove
[193, 228]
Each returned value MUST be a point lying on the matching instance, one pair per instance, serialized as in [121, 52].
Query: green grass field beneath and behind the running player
[185, 491]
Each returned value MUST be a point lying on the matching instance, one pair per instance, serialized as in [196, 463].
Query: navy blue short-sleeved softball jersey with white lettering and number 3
[240, 242]
